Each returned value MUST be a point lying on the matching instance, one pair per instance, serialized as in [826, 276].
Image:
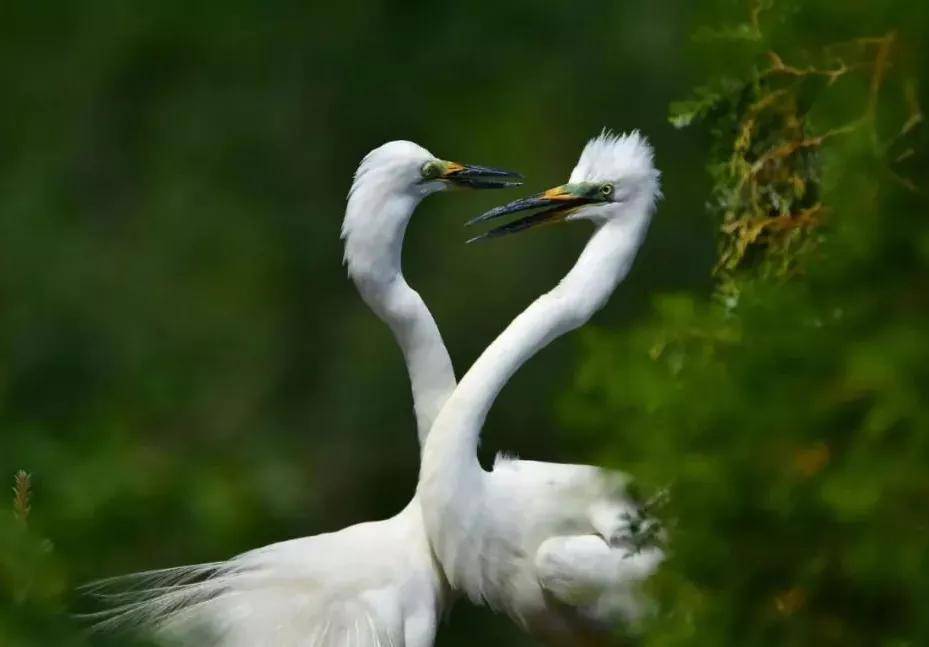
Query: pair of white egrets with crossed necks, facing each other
[546, 543]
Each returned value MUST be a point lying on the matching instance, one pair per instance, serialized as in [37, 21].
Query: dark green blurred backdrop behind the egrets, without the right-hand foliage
[185, 369]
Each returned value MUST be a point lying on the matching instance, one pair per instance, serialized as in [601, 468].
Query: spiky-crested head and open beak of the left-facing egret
[614, 178]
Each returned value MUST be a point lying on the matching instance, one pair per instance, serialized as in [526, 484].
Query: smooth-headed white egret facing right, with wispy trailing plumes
[371, 584]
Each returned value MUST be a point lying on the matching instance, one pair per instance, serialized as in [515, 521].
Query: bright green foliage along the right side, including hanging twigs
[788, 412]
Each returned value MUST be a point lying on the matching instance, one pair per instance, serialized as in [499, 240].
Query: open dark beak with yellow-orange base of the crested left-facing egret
[556, 204]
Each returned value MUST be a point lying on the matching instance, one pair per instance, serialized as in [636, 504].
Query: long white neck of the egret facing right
[373, 233]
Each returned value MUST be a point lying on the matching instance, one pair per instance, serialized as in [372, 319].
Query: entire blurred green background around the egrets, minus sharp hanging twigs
[186, 373]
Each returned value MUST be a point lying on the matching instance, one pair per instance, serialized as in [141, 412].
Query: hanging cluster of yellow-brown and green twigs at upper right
[767, 137]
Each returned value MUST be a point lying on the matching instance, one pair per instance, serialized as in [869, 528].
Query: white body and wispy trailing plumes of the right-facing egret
[330, 590]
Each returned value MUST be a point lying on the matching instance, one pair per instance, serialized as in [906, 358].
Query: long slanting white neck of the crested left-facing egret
[450, 451]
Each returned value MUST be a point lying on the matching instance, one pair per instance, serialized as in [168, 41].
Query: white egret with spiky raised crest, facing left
[546, 543]
